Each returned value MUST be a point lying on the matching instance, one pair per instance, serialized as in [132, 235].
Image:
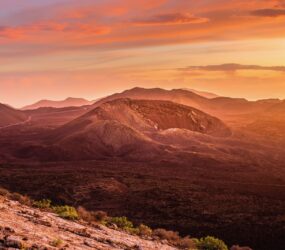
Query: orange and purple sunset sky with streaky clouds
[53, 49]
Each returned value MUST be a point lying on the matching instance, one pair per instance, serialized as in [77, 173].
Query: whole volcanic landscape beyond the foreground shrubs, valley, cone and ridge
[144, 154]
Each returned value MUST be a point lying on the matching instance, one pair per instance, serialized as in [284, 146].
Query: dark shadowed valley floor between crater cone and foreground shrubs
[196, 199]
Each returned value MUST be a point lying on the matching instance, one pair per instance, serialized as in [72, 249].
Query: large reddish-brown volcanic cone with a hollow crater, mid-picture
[127, 128]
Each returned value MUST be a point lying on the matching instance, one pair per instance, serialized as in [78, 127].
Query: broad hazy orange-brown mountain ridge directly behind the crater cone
[218, 106]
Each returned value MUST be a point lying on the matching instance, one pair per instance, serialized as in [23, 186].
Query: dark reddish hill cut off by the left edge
[10, 116]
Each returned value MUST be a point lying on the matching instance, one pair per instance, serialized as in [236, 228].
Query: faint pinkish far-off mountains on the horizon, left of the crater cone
[68, 102]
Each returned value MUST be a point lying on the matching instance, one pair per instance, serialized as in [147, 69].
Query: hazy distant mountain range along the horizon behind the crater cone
[207, 102]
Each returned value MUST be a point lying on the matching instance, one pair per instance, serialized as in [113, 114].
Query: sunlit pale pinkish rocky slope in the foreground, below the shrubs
[23, 227]
